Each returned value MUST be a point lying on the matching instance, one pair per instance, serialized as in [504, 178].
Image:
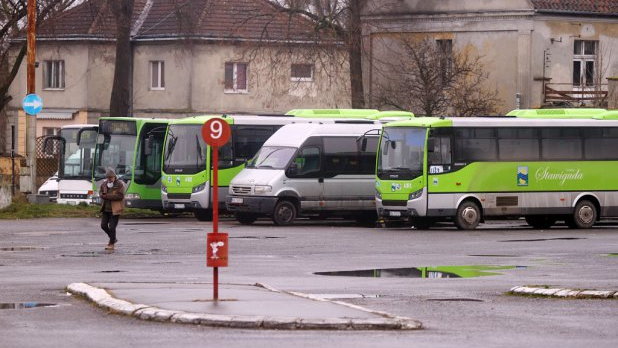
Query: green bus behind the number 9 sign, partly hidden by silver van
[186, 180]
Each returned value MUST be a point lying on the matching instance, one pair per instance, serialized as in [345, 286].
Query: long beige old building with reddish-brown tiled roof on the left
[189, 57]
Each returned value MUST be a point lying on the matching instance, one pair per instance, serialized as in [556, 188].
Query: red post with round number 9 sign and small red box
[216, 132]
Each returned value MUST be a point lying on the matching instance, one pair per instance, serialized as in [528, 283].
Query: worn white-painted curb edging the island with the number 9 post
[104, 300]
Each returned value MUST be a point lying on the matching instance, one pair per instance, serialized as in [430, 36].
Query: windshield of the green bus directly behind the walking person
[116, 152]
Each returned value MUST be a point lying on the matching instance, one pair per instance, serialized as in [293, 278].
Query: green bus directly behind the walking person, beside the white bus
[133, 148]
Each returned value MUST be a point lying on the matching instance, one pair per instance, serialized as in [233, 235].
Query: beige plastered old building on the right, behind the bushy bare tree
[536, 52]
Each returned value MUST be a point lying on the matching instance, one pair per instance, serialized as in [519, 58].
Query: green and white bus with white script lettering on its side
[467, 169]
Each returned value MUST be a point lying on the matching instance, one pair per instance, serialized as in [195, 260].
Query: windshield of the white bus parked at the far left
[77, 160]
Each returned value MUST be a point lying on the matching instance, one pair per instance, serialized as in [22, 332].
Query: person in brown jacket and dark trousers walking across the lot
[112, 203]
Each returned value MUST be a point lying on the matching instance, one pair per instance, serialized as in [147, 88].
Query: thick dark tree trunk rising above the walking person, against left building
[120, 103]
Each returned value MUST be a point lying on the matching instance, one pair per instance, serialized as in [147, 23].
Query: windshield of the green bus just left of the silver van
[185, 150]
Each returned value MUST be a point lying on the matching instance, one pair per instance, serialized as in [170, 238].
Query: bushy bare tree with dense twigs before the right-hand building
[432, 78]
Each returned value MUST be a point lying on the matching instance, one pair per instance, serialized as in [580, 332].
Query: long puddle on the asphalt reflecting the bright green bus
[425, 272]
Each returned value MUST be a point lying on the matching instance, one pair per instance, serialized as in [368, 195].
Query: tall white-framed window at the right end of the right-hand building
[584, 61]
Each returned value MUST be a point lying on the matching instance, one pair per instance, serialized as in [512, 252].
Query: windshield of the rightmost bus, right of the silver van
[401, 153]
